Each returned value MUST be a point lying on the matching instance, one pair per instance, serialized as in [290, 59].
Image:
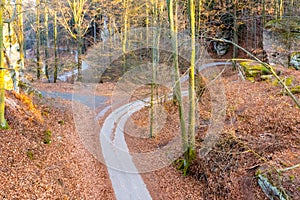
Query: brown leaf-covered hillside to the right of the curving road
[261, 135]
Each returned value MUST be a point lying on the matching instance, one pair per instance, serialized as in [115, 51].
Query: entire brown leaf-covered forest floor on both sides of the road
[261, 134]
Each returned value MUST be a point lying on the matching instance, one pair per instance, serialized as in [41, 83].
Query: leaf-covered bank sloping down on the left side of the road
[42, 157]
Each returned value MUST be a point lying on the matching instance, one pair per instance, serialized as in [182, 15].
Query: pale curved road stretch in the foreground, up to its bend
[126, 180]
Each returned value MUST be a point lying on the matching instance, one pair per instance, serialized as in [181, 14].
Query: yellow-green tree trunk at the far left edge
[3, 123]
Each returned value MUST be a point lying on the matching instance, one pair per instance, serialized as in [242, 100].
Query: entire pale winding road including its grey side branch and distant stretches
[125, 178]
